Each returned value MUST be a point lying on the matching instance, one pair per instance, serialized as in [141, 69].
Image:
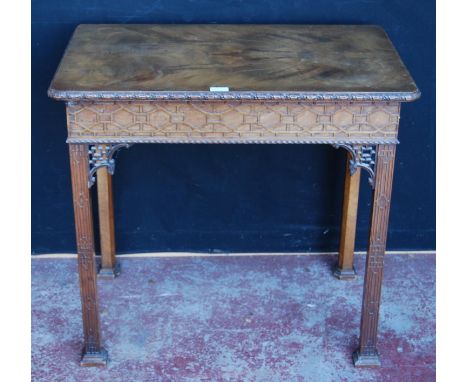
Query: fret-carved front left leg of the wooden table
[93, 354]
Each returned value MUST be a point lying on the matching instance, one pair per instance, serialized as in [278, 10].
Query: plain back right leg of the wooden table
[345, 269]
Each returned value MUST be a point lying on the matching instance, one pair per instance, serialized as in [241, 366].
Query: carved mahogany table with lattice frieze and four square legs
[270, 84]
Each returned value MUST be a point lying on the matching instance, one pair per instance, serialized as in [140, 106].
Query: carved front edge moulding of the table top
[85, 95]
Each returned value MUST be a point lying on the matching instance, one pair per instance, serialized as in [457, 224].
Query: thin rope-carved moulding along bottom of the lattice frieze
[375, 141]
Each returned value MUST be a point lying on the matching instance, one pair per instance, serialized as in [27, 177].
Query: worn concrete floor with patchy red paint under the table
[256, 318]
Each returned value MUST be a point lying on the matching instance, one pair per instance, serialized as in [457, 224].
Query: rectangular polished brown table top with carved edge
[268, 62]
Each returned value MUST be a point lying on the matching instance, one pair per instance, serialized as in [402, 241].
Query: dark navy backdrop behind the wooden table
[234, 197]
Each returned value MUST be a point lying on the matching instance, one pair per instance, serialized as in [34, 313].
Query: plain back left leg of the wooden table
[110, 268]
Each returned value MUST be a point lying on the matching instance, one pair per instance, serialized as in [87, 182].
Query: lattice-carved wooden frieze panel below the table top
[233, 121]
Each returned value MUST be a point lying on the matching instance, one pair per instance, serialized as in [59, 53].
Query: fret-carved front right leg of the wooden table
[367, 354]
